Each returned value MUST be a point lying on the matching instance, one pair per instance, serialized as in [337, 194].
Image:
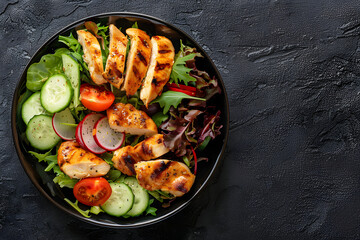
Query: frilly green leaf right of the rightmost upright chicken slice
[180, 73]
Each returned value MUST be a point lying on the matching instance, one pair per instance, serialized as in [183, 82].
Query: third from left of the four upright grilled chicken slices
[137, 60]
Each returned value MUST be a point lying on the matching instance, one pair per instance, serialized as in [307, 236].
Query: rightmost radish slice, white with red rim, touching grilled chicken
[106, 137]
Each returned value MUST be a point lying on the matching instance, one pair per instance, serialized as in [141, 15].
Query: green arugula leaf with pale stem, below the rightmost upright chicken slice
[172, 98]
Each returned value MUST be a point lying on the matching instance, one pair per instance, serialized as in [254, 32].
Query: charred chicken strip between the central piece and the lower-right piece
[125, 158]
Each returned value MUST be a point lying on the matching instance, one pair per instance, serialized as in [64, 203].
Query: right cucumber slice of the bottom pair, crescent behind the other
[141, 196]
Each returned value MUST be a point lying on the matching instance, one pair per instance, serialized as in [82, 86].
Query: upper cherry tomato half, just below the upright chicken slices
[96, 98]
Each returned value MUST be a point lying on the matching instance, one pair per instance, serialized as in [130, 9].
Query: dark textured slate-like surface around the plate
[292, 167]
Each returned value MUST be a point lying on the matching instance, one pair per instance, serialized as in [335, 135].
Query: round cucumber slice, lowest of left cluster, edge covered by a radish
[40, 132]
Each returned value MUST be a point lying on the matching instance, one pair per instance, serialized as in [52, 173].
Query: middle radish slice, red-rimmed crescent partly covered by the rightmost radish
[86, 130]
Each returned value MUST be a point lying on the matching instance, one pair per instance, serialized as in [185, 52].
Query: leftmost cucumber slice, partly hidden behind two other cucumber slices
[32, 107]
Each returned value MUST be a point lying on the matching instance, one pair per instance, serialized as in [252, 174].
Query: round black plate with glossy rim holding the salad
[215, 150]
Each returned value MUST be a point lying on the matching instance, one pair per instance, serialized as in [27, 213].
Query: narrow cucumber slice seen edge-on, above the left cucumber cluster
[72, 71]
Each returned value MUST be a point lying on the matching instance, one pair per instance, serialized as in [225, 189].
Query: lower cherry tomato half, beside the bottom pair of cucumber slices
[92, 191]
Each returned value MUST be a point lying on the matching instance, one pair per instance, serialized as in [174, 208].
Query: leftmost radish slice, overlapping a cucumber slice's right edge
[59, 121]
